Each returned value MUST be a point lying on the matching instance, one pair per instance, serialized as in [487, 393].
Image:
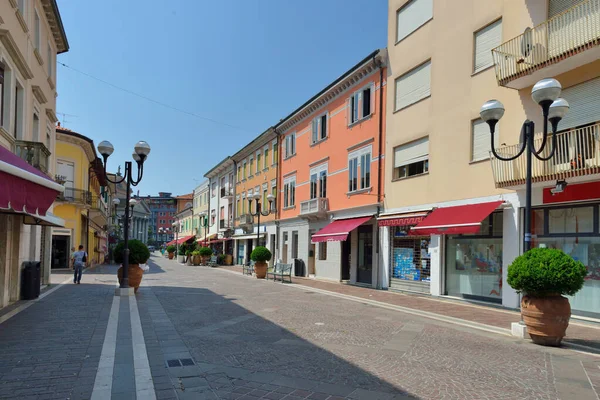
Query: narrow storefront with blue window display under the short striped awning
[410, 258]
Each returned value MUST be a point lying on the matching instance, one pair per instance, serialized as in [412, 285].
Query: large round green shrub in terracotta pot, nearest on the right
[544, 275]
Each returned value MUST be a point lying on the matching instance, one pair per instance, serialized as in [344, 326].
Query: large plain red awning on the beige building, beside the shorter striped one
[455, 220]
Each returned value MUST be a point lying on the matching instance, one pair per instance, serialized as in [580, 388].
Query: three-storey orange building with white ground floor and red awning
[330, 177]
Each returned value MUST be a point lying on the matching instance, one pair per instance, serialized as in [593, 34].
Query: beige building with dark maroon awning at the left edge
[31, 36]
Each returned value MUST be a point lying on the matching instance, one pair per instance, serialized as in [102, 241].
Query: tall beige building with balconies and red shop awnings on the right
[453, 214]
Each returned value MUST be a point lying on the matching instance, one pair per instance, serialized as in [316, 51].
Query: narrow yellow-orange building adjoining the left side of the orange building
[256, 173]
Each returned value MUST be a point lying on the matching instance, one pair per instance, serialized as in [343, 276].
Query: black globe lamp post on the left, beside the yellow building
[142, 149]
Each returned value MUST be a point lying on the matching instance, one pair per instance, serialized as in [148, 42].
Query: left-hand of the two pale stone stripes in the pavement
[103, 383]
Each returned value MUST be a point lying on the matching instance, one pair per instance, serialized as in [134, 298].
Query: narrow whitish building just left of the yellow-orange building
[220, 217]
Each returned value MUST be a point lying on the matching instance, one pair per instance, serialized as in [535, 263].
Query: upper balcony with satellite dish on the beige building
[562, 43]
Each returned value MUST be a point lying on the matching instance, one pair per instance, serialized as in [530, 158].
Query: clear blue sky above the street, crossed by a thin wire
[244, 63]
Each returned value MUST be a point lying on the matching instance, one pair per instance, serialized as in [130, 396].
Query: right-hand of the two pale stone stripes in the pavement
[144, 385]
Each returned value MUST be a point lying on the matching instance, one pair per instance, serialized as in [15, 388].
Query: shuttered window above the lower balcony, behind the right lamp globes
[584, 103]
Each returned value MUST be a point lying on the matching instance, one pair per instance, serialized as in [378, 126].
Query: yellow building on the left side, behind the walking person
[84, 205]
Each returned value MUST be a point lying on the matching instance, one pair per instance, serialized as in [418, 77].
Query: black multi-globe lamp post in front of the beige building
[546, 93]
